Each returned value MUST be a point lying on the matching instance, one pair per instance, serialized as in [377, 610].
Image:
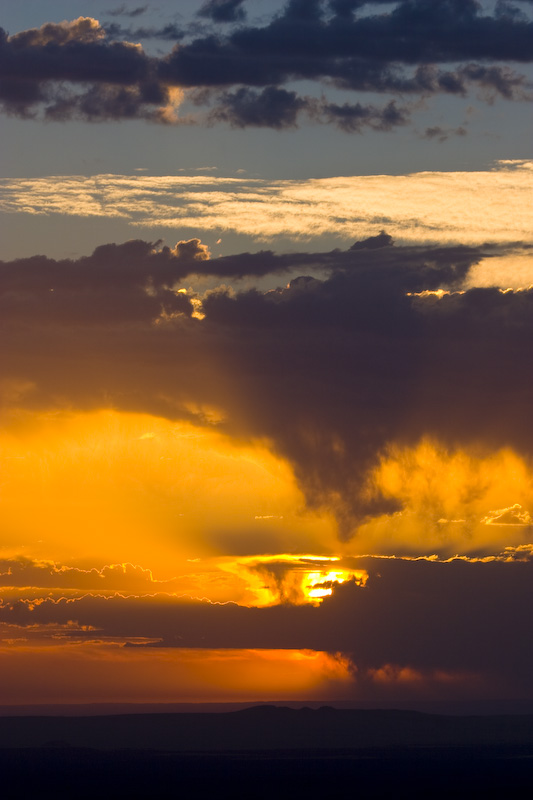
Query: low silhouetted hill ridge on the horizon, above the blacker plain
[267, 728]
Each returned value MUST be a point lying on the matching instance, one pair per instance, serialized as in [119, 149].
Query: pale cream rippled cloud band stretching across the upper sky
[461, 207]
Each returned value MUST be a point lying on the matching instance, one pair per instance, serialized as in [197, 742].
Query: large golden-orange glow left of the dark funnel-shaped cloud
[143, 489]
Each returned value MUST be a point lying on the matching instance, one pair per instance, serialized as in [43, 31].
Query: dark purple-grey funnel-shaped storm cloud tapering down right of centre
[354, 363]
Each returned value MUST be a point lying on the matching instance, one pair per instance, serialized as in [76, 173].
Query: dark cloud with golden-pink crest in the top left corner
[69, 70]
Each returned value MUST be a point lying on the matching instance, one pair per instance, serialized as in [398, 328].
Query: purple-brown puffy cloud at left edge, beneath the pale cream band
[136, 280]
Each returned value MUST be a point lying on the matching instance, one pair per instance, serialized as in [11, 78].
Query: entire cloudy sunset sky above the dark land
[266, 289]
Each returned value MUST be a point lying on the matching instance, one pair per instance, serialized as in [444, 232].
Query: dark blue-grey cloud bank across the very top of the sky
[78, 69]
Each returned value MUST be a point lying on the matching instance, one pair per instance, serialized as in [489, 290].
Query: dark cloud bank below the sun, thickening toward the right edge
[455, 618]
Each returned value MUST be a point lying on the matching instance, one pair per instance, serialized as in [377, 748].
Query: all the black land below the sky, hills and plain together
[267, 752]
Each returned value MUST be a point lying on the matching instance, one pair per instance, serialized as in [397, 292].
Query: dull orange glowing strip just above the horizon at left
[103, 673]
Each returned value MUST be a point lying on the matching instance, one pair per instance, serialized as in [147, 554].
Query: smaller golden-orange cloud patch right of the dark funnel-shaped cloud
[447, 497]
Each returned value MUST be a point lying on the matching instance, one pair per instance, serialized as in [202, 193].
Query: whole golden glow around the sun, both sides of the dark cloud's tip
[145, 490]
